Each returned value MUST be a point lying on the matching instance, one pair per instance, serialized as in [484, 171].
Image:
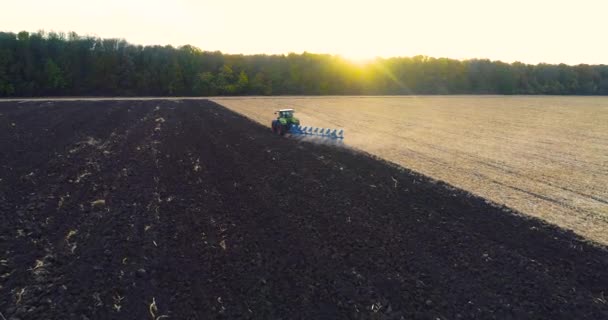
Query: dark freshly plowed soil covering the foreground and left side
[144, 209]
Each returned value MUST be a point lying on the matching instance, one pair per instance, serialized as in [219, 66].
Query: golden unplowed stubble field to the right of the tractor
[543, 156]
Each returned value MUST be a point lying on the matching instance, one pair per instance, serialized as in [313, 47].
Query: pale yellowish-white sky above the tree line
[532, 31]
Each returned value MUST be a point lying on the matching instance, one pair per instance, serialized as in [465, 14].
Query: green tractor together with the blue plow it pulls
[287, 123]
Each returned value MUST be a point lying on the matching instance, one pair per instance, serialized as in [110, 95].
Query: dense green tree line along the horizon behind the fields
[54, 64]
